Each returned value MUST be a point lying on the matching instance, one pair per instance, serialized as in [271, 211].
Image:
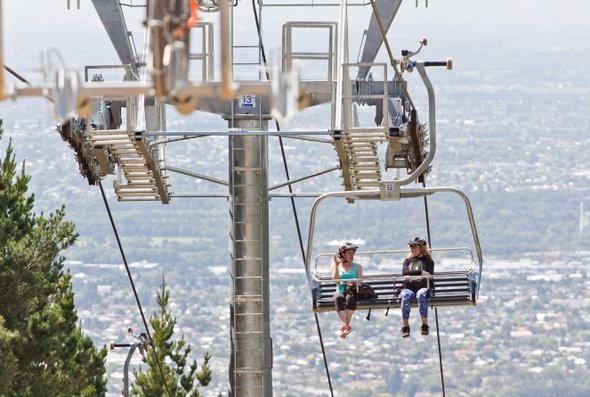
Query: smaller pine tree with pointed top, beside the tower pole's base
[171, 359]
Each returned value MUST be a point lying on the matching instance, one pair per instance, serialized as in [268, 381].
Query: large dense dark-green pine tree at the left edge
[42, 349]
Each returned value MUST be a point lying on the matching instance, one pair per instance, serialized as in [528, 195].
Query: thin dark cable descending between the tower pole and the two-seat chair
[292, 198]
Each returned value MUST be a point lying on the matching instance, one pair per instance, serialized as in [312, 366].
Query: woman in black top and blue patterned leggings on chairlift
[418, 263]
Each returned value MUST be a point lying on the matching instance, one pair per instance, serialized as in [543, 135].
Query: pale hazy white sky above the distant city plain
[453, 27]
